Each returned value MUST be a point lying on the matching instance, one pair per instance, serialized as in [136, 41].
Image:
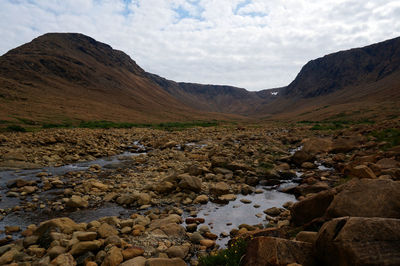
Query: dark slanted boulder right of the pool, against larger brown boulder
[311, 208]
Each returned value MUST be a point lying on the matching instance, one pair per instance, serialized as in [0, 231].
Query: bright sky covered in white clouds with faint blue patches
[255, 44]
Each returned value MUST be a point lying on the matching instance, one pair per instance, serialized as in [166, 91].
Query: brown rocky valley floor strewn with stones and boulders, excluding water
[349, 207]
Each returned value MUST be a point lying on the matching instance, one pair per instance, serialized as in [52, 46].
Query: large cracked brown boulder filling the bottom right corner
[359, 241]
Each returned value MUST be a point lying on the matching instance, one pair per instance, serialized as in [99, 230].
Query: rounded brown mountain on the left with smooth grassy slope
[64, 76]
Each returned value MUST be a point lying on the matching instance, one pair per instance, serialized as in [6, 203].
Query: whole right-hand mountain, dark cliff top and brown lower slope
[356, 81]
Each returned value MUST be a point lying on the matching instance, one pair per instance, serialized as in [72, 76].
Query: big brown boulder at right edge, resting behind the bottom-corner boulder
[367, 198]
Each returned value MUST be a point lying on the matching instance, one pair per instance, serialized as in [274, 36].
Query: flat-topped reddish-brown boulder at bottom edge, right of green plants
[273, 251]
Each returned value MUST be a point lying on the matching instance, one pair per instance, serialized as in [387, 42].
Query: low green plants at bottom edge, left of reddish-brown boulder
[231, 256]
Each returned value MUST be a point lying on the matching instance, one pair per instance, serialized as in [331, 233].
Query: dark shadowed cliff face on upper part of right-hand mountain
[353, 67]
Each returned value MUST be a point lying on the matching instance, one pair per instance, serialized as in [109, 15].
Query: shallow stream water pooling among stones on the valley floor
[220, 218]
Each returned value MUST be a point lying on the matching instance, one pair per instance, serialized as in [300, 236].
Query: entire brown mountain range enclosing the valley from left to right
[69, 76]
